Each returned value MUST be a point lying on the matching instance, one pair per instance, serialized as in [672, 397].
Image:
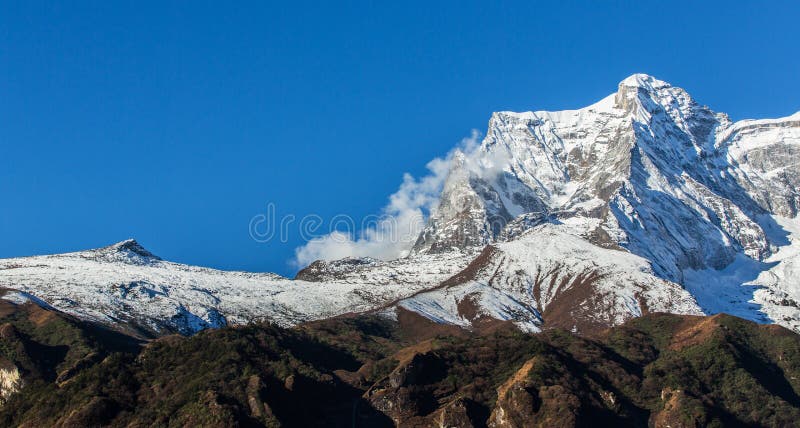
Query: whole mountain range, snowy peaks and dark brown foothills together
[635, 262]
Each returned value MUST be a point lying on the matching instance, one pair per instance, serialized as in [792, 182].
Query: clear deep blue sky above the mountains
[177, 124]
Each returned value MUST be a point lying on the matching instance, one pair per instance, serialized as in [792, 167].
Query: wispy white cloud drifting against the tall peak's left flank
[404, 217]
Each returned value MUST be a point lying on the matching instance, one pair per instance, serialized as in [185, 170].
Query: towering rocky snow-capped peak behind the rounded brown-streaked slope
[710, 204]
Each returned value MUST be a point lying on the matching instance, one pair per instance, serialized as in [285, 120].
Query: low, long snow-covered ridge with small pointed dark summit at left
[125, 285]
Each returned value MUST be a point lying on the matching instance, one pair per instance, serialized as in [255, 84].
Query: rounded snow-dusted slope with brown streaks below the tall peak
[552, 277]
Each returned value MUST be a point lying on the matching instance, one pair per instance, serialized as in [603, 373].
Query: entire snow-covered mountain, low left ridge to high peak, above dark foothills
[645, 201]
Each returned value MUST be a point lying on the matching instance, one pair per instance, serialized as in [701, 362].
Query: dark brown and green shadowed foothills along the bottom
[659, 370]
